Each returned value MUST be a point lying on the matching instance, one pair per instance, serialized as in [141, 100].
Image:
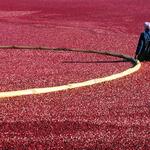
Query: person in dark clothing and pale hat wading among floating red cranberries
[143, 47]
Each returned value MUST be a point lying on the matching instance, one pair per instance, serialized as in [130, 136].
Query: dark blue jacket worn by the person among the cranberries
[144, 37]
